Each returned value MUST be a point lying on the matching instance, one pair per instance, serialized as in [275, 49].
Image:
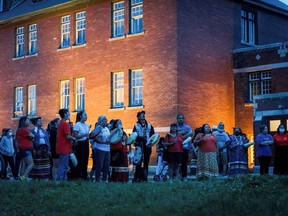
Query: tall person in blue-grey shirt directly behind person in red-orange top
[186, 132]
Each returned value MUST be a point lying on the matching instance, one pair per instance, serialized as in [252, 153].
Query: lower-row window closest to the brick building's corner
[136, 87]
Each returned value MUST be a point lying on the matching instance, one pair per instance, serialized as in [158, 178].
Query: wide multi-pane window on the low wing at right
[259, 84]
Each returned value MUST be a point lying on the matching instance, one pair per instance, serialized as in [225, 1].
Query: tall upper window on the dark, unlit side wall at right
[248, 27]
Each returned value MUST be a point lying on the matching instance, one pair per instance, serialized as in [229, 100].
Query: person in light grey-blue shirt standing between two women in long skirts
[222, 139]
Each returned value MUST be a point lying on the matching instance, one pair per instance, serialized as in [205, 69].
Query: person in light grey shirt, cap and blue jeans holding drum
[101, 145]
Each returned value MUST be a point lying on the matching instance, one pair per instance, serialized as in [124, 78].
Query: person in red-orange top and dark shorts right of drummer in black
[174, 142]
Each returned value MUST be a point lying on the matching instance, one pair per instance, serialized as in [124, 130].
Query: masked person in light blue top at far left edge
[8, 151]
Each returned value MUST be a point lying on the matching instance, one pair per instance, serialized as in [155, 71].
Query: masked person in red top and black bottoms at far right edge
[281, 151]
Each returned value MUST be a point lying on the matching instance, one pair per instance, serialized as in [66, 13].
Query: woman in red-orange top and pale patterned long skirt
[207, 156]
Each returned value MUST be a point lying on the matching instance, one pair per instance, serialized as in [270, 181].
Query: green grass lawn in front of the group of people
[241, 196]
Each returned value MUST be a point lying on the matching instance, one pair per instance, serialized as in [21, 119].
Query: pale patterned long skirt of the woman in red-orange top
[206, 165]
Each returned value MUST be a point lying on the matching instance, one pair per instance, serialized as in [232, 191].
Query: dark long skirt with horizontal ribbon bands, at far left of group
[41, 168]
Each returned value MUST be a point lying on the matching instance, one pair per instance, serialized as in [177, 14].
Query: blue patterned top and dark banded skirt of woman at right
[237, 154]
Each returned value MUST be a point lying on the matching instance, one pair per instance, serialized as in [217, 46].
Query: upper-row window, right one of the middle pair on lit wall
[81, 28]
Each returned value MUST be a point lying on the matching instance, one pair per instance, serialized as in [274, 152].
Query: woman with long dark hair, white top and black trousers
[81, 133]
